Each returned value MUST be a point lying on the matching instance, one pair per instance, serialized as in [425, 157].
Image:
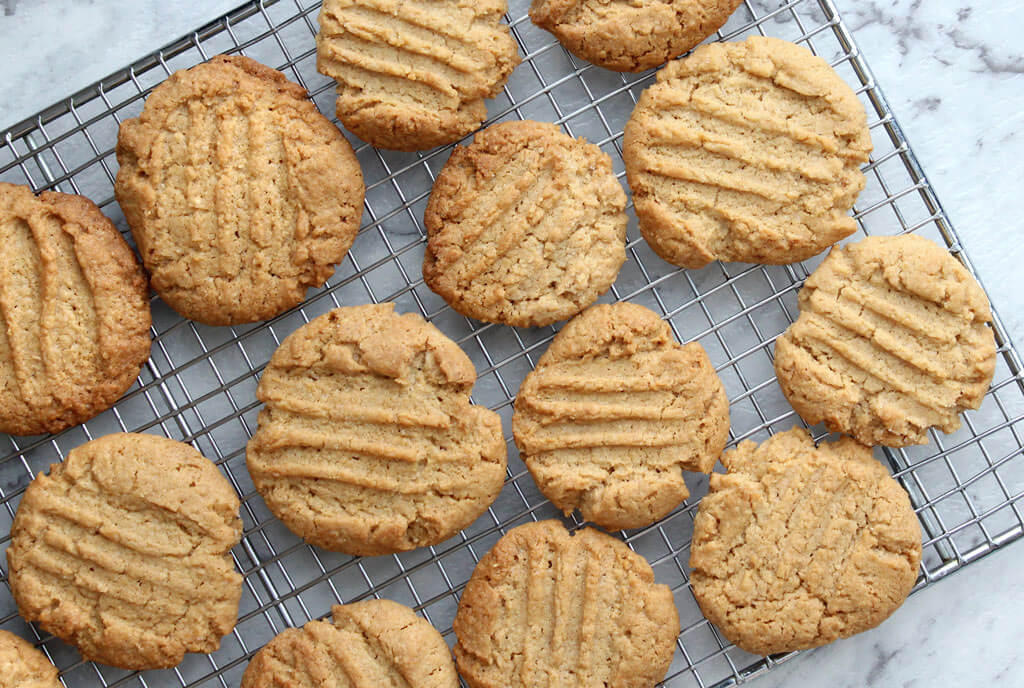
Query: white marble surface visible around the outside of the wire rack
[955, 76]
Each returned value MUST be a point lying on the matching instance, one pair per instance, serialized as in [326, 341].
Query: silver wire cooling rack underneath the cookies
[200, 384]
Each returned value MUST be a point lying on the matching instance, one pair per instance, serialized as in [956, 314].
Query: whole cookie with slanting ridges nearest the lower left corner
[124, 552]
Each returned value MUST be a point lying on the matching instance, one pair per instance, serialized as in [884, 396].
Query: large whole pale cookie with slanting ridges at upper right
[746, 152]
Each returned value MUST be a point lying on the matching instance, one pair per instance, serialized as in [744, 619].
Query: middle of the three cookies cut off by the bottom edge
[372, 643]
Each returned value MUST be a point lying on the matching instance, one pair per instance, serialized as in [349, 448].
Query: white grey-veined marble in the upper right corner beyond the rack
[955, 77]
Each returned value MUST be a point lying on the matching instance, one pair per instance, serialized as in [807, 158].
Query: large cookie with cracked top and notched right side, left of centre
[368, 444]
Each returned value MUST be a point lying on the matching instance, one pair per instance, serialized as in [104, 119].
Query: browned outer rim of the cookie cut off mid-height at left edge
[127, 342]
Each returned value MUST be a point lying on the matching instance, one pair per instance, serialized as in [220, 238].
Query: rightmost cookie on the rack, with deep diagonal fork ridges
[891, 340]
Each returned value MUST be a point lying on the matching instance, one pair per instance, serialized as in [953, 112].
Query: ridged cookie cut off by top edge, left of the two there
[414, 75]
